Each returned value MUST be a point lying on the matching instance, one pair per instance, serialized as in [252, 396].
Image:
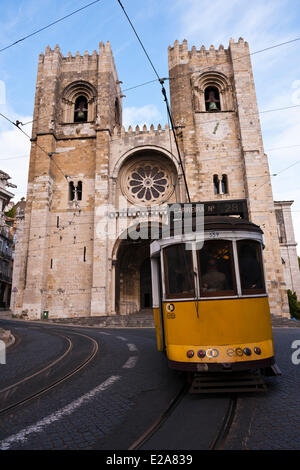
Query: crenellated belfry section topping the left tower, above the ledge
[88, 78]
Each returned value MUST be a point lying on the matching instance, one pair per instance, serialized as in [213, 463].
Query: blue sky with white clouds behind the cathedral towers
[262, 23]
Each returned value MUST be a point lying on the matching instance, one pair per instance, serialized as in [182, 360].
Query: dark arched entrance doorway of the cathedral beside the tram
[133, 276]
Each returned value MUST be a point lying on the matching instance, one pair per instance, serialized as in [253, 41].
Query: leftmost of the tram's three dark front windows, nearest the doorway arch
[179, 272]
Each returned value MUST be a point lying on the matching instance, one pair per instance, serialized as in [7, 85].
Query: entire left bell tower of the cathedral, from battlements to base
[78, 105]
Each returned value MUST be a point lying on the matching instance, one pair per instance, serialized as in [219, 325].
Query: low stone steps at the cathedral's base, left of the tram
[141, 319]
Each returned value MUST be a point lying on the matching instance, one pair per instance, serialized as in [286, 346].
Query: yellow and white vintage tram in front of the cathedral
[210, 305]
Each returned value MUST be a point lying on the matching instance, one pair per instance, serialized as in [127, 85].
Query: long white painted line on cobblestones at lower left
[23, 435]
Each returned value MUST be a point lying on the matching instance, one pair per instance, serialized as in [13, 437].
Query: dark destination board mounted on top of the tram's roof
[235, 207]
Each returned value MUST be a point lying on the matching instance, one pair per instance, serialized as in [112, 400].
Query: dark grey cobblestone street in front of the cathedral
[112, 401]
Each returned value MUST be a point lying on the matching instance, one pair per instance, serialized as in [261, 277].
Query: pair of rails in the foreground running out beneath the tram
[217, 443]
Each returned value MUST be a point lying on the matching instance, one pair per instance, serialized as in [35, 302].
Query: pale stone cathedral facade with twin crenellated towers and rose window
[82, 160]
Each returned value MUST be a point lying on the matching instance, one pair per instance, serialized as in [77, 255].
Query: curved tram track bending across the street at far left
[45, 370]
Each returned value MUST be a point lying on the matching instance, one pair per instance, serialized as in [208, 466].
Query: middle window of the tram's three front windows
[217, 276]
